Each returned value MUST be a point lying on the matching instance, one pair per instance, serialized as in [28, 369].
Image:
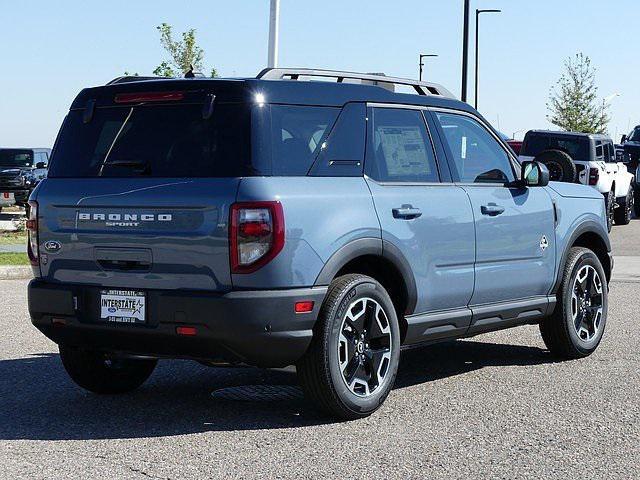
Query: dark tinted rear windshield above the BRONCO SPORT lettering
[155, 141]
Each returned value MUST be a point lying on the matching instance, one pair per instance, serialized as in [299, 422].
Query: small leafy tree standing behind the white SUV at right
[573, 102]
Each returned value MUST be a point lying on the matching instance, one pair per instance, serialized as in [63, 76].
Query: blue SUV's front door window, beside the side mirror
[477, 156]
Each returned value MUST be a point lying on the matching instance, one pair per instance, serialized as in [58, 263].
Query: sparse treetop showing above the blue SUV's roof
[184, 54]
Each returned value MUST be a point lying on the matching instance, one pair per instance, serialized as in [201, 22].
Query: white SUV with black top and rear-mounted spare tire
[587, 159]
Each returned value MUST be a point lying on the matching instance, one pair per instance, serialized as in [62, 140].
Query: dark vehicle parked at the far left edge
[21, 169]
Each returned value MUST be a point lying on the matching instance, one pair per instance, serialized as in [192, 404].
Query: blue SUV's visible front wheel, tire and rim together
[561, 333]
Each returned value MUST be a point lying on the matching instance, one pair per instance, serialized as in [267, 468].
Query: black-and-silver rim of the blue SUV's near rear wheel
[364, 347]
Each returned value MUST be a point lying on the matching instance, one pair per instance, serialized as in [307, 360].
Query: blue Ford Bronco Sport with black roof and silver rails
[275, 221]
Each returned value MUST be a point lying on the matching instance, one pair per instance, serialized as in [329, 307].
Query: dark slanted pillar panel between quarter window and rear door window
[342, 153]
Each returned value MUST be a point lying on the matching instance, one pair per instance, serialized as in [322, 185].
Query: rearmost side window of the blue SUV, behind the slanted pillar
[297, 133]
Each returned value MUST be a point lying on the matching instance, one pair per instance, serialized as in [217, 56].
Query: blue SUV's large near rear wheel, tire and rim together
[325, 370]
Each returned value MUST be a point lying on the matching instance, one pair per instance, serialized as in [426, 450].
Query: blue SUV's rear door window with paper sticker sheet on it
[400, 149]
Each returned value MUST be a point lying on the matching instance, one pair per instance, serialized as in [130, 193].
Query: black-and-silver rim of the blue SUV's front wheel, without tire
[587, 301]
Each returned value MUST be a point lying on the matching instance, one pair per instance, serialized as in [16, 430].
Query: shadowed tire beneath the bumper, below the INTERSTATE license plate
[98, 373]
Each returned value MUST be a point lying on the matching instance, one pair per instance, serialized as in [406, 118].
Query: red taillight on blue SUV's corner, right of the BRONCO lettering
[256, 234]
